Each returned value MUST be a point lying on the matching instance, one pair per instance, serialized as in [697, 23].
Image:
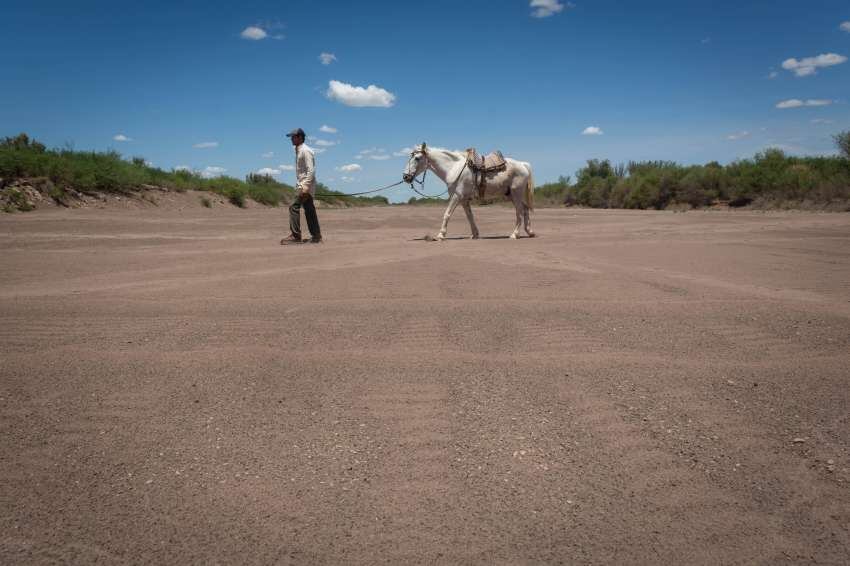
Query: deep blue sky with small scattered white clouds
[685, 81]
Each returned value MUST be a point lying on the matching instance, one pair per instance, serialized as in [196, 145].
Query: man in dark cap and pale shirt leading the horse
[305, 188]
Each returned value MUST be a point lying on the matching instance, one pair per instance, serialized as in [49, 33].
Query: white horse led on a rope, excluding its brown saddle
[515, 181]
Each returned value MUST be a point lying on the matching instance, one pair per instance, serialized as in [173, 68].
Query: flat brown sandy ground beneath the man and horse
[630, 387]
